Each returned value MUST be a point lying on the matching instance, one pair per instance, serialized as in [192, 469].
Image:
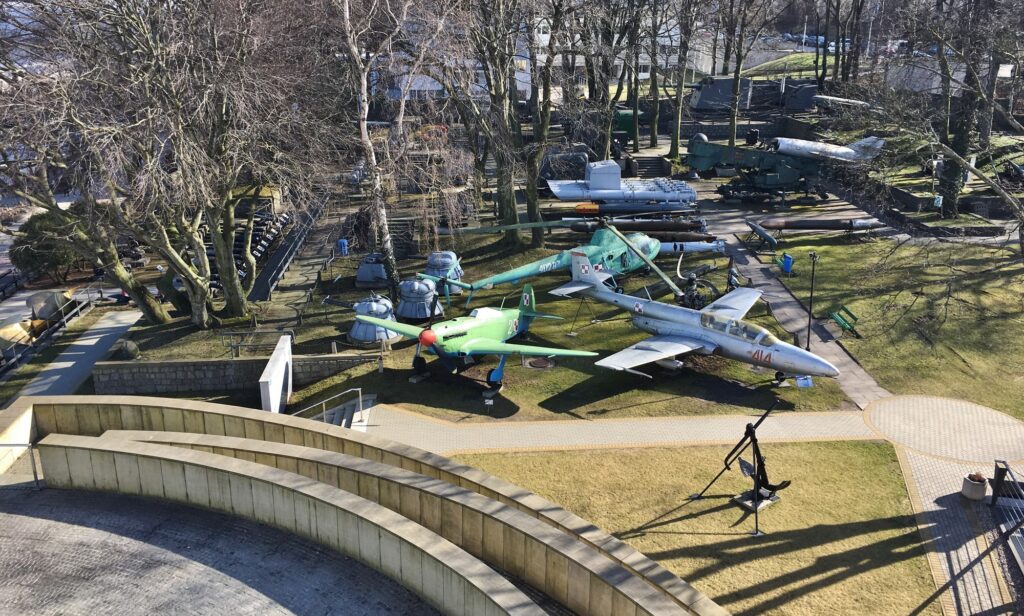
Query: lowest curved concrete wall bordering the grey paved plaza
[443, 575]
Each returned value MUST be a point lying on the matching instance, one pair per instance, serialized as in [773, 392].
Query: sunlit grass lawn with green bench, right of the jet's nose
[942, 320]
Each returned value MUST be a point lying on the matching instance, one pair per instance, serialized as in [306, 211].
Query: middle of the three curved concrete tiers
[558, 564]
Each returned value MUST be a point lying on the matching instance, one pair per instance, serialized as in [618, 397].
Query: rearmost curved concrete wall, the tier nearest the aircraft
[95, 415]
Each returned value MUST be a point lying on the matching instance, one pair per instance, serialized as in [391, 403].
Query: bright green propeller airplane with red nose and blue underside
[483, 333]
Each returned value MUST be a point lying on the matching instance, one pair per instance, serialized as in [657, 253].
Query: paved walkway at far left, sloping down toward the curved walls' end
[72, 368]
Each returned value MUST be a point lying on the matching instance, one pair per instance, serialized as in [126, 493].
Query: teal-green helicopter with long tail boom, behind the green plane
[608, 250]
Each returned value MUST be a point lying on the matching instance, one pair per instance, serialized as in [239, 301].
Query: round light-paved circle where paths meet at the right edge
[949, 428]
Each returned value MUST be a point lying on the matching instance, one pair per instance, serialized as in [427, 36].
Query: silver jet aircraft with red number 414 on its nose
[717, 330]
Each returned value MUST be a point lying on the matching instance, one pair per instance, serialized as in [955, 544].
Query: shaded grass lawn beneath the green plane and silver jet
[576, 388]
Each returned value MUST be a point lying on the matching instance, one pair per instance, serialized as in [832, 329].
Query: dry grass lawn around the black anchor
[842, 541]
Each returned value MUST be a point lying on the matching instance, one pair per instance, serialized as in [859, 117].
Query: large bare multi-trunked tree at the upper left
[152, 114]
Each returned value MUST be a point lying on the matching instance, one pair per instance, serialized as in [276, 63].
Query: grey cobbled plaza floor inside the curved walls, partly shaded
[65, 552]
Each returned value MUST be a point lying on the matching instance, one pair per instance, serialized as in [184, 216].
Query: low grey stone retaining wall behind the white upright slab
[178, 376]
